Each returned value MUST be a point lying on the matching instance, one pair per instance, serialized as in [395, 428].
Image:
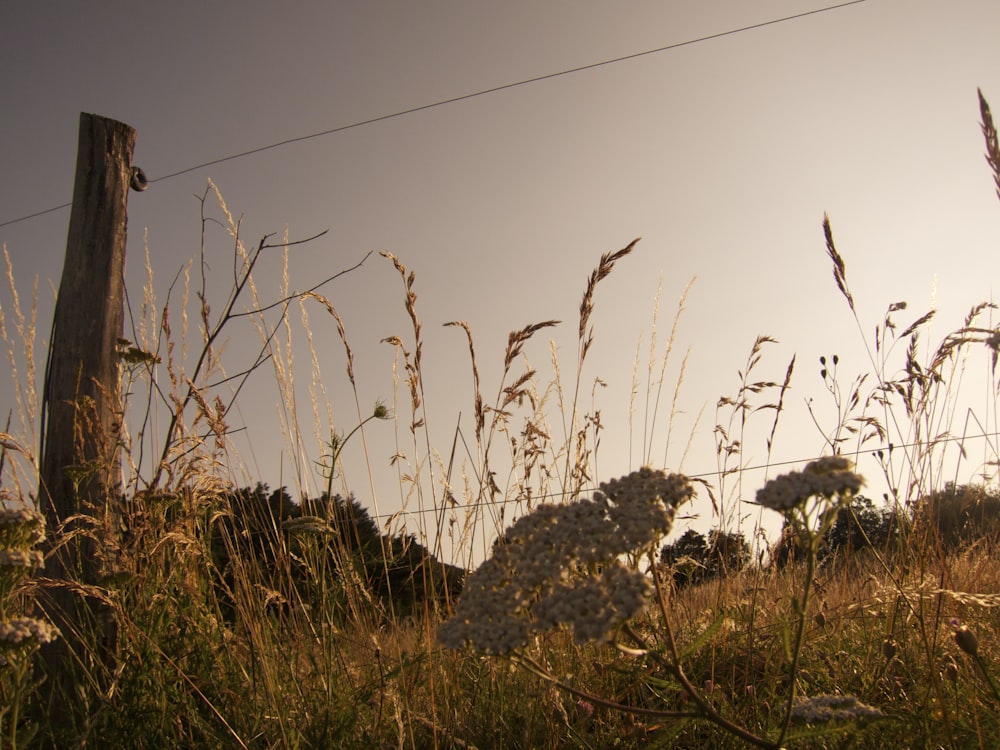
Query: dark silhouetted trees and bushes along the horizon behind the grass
[295, 549]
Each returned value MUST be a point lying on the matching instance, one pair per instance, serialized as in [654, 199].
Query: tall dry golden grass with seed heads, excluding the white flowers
[242, 623]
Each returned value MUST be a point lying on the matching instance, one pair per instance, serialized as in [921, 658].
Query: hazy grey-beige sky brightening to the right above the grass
[723, 155]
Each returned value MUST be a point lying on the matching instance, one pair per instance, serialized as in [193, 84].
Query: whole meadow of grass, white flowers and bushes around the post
[237, 616]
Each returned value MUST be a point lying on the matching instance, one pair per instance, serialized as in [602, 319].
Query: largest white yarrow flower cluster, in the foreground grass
[557, 566]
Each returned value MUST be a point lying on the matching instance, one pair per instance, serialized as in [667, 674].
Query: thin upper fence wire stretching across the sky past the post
[465, 97]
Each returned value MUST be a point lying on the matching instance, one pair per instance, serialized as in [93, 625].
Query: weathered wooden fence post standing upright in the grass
[80, 457]
